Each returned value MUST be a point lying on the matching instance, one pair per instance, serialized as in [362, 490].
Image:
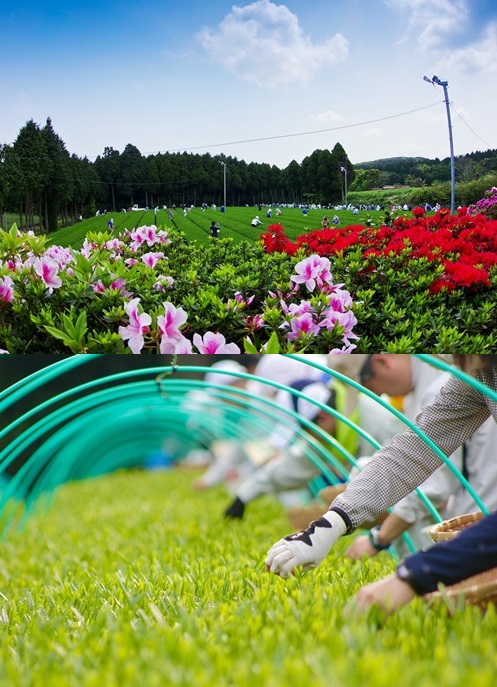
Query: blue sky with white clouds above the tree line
[214, 76]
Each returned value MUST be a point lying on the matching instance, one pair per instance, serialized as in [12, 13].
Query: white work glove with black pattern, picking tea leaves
[307, 548]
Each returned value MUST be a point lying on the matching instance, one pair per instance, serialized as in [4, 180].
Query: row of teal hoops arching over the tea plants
[115, 421]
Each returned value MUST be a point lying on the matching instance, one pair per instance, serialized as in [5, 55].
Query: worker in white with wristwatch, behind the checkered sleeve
[418, 383]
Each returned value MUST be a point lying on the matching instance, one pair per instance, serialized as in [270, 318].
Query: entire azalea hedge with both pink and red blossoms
[413, 284]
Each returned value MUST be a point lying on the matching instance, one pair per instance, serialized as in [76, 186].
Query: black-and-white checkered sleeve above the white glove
[394, 471]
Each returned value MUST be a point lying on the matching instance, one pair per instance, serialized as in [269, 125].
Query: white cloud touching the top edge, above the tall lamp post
[433, 20]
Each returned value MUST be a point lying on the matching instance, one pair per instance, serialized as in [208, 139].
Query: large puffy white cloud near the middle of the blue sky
[264, 44]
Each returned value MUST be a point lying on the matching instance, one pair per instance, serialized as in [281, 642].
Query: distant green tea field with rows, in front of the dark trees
[234, 223]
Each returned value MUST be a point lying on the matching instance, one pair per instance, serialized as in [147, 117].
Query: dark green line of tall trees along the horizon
[49, 187]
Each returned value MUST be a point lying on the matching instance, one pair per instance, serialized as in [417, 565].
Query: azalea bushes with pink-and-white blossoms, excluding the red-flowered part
[149, 290]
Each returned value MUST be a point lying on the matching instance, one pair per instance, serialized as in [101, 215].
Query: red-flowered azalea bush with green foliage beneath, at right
[418, 283]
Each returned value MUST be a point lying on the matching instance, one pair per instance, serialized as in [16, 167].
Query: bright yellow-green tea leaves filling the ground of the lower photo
[135, 579]
